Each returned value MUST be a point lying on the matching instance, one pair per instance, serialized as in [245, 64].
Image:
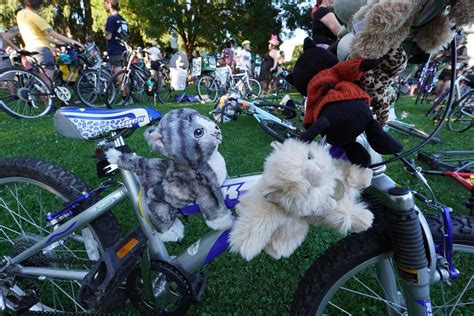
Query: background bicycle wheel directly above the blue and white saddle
[91, 88]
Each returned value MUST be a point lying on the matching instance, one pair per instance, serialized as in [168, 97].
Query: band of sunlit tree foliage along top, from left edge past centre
[200, 24]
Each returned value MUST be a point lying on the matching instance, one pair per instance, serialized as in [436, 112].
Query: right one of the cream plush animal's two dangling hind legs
[287, 238]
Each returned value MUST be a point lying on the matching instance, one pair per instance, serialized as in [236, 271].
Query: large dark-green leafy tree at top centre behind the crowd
[206, 24]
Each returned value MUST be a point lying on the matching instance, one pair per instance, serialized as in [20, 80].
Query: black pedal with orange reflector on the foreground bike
[99, 288]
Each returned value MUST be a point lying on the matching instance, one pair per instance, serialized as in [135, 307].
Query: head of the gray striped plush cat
[185, 136]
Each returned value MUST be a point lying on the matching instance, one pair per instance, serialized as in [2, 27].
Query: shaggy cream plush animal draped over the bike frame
[301, 185]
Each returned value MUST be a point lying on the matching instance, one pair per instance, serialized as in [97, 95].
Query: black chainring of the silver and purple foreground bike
[172, 292]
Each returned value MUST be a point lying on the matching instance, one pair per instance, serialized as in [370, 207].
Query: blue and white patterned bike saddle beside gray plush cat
[90, 123]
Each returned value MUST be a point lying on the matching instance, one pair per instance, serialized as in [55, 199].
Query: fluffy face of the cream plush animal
[297, 163]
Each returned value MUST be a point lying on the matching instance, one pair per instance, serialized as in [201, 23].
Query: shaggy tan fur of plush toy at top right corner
[387, 23]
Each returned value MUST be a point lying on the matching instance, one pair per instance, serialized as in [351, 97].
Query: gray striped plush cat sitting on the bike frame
[194, 171]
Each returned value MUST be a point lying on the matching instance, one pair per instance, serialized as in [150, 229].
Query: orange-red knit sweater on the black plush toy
[332, 85]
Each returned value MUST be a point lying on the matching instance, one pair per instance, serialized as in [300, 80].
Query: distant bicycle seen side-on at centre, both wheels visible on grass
[211, 87]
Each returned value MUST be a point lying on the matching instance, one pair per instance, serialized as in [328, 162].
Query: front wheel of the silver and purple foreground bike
[345, 280]
